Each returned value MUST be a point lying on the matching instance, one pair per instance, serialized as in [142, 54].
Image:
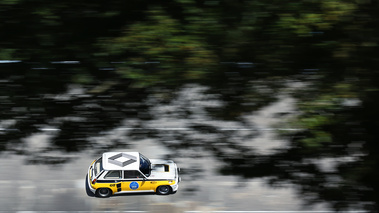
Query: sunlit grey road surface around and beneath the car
[37, 187]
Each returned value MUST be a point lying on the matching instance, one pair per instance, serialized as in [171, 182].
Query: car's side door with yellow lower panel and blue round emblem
[134, 181]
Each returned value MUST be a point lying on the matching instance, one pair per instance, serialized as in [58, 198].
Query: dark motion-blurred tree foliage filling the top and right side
[329, 45]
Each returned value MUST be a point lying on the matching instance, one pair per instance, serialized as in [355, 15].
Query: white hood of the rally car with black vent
[162, 169]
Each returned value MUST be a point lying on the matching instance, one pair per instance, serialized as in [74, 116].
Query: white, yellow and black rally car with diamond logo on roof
[131, 172]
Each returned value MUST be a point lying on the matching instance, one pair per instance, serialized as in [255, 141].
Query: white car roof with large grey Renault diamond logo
[121, 160]
